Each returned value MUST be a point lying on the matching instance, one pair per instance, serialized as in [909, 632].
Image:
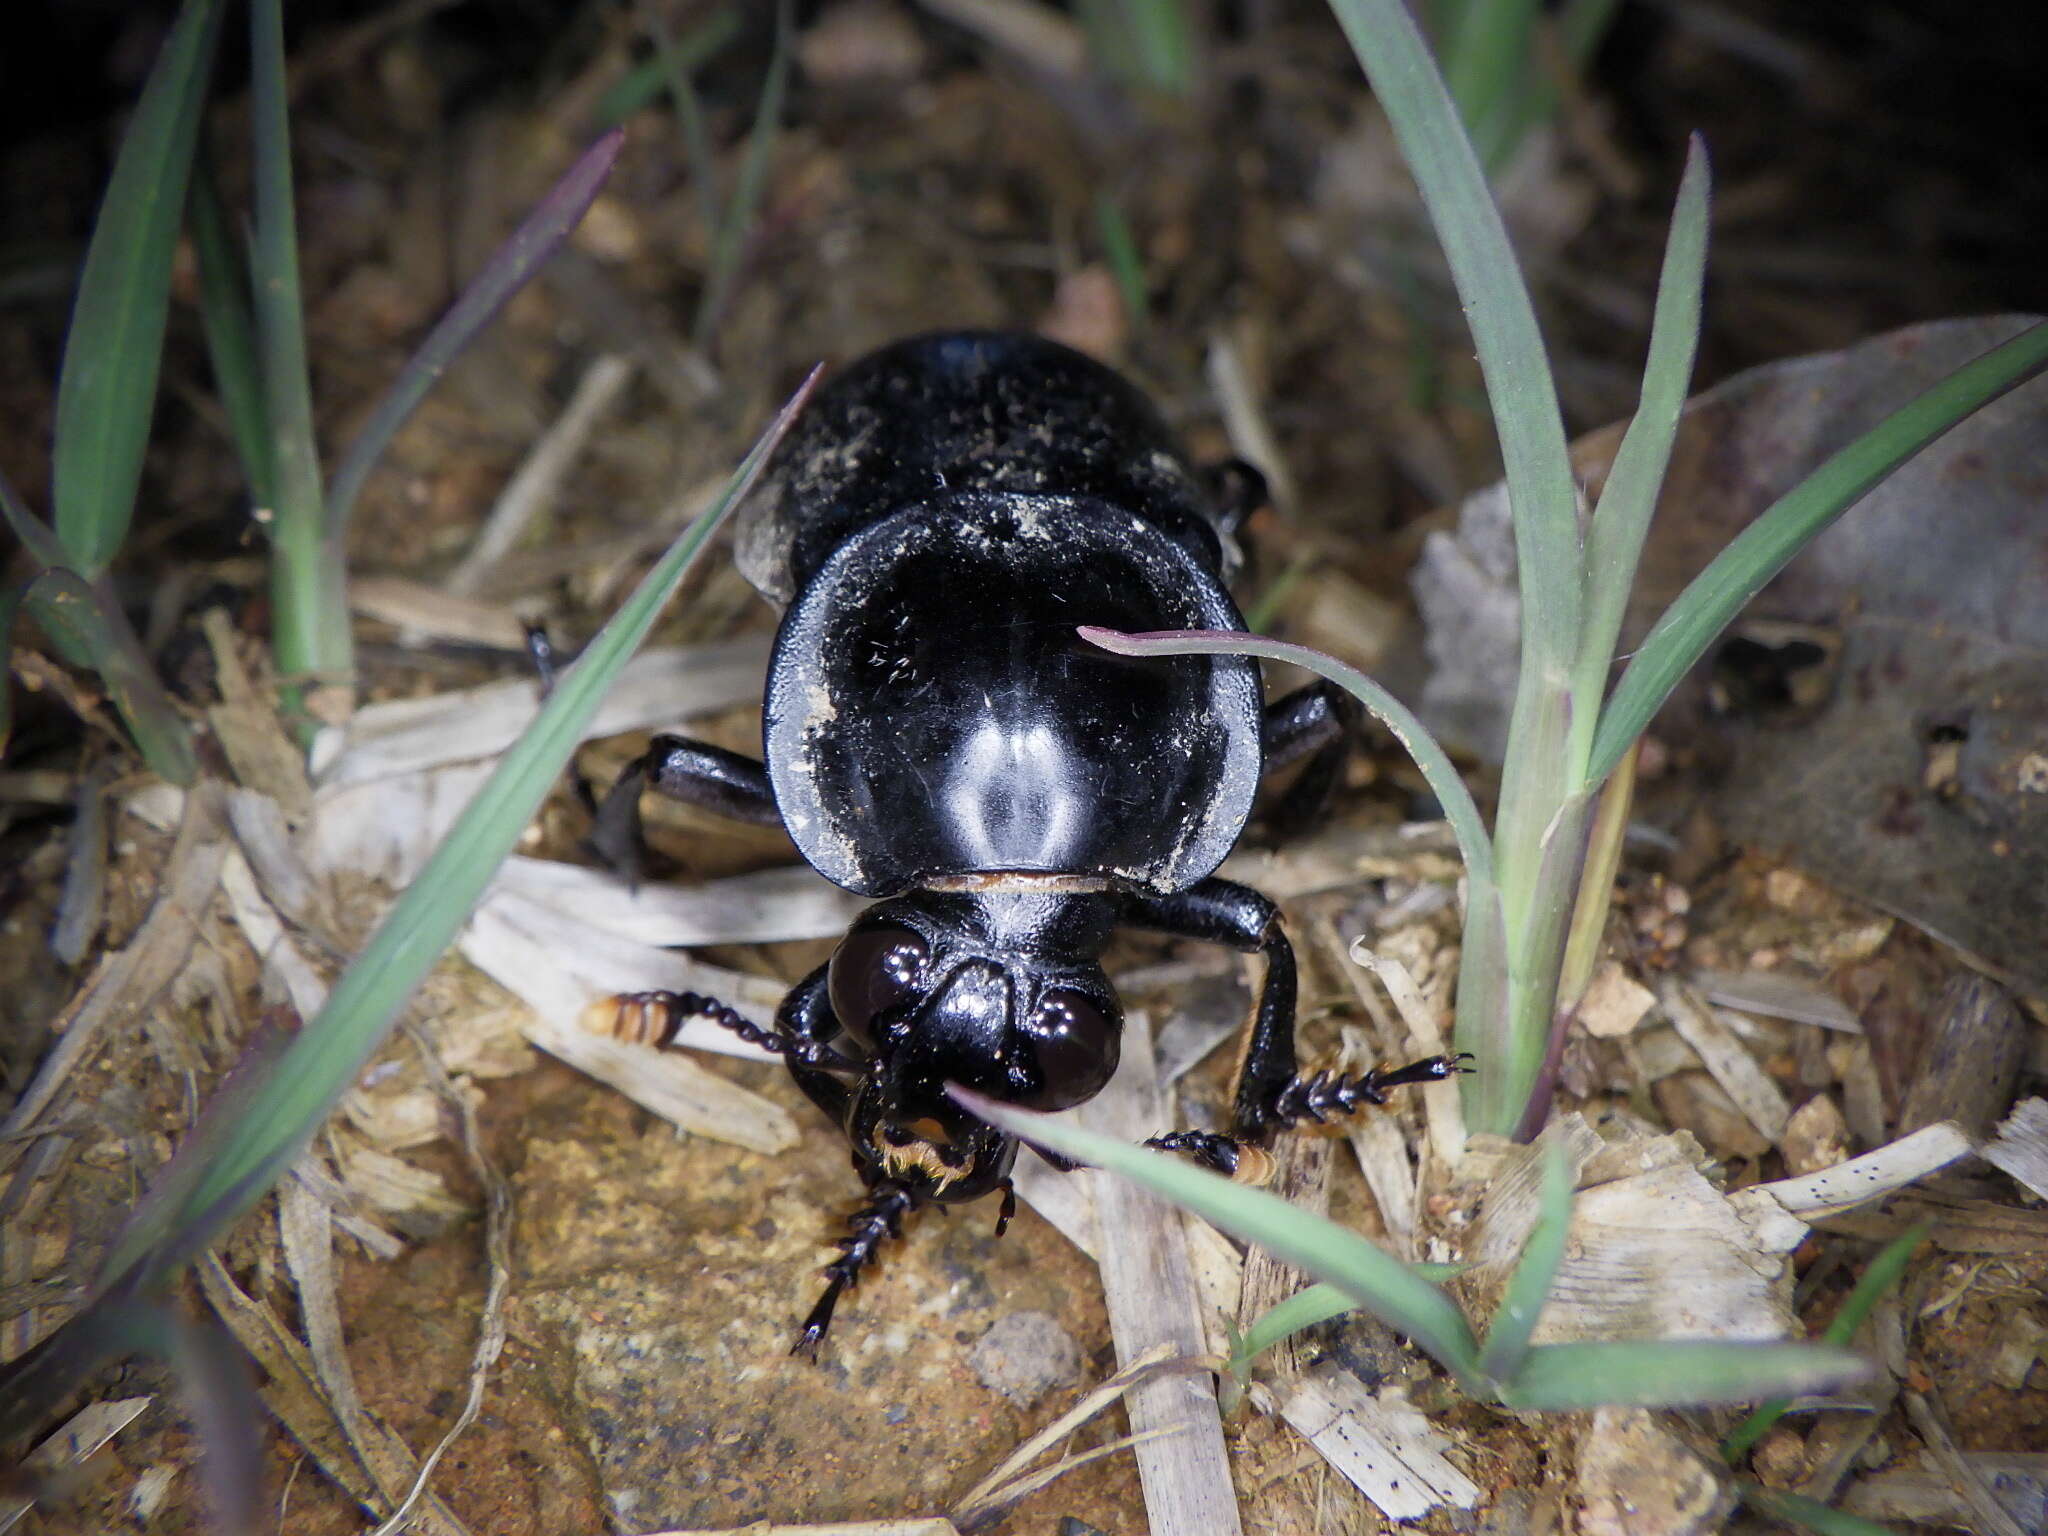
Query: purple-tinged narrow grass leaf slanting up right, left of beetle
[509, 269]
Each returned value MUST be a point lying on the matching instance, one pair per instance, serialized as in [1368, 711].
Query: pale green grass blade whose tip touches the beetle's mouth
[1373, 1279]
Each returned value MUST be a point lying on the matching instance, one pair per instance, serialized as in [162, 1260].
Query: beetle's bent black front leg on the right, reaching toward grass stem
[1271, 1091]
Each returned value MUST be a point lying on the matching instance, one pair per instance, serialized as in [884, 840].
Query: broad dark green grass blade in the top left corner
[112, 357]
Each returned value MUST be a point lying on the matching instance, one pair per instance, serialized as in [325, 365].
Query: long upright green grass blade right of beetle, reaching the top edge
[1498, 308]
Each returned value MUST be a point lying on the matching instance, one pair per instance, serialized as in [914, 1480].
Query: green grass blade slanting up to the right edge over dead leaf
[1768, 546]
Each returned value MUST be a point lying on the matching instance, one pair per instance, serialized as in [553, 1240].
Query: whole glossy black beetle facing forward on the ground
[937, 525]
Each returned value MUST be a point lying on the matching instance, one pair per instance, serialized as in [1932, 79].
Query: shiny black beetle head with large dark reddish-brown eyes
[998, 992]
